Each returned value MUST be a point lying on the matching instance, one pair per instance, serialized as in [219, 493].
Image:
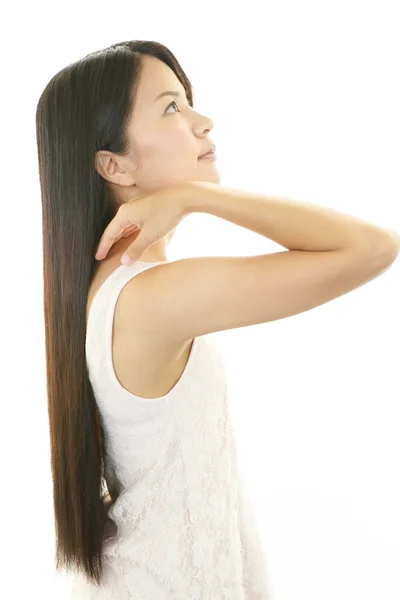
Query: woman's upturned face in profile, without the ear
[167, 134]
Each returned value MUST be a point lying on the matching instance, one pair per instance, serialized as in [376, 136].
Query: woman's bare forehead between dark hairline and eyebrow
[156, 77]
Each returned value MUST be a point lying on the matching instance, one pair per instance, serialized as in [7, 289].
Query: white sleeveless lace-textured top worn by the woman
[185, 528]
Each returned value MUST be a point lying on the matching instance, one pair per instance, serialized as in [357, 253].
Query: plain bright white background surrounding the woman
[305, 102]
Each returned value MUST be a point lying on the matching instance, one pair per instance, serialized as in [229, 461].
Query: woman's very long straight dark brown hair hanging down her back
[84, 108]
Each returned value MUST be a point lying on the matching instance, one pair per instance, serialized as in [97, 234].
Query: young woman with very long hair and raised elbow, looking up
[147, 495]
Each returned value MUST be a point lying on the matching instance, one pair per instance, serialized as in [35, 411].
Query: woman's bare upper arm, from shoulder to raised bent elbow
[195, 296]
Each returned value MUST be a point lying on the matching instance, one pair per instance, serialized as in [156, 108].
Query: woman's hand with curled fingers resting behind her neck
[152, 216]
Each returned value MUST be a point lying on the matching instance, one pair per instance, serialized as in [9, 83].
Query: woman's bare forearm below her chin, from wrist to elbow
[290, 223]
